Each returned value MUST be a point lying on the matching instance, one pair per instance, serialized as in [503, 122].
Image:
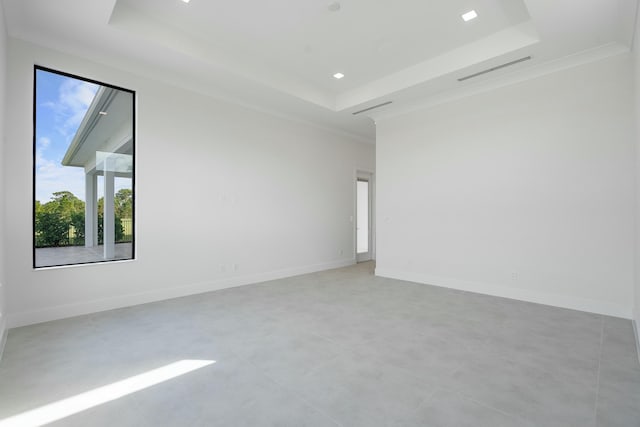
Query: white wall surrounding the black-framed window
[217, 185]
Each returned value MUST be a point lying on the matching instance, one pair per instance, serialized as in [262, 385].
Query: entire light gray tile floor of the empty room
[336, 348]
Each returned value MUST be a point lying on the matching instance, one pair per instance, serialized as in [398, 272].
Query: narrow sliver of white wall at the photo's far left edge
[3, 73]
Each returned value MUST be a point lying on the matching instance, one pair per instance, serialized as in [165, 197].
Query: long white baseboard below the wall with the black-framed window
[71, 310]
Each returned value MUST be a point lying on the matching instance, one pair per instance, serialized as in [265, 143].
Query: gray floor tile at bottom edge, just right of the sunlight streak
[225, 393]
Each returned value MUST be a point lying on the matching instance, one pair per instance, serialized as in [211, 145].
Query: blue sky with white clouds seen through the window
[61, 103]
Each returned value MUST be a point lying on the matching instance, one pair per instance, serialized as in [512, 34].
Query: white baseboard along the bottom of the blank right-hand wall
[574, 303]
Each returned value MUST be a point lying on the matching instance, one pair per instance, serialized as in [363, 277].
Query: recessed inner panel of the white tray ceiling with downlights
[307, 41]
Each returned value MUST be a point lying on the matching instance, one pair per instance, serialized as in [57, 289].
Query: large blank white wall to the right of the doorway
[525, 192]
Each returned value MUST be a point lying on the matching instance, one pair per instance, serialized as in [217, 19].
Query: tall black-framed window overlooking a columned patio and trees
[83, 170]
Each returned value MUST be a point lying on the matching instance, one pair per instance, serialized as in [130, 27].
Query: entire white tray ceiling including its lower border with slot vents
[280, 55]
